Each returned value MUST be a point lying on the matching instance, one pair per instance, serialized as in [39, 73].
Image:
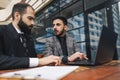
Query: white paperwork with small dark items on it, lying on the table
[40, 73]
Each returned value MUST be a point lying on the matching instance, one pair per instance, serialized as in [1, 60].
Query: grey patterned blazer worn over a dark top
[53, 46]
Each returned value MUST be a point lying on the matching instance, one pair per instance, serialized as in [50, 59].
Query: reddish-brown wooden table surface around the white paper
[109, 71]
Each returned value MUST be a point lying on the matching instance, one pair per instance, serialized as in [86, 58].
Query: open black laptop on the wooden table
[105, 50]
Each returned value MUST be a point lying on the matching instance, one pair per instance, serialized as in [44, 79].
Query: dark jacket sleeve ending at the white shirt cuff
[10, 62]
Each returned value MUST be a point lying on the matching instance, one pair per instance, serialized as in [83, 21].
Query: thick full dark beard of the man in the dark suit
[24, 27]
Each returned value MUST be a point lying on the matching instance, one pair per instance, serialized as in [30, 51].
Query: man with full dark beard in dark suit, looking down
[16, 45]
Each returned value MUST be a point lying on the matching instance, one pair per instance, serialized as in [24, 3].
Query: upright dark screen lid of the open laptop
[106, 46]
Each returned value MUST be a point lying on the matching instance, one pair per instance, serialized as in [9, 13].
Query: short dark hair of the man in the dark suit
[21, 8]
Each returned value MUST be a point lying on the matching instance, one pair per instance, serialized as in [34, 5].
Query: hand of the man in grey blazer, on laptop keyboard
[76, 56]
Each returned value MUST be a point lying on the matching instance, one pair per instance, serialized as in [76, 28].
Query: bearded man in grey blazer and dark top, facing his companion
[62, 44]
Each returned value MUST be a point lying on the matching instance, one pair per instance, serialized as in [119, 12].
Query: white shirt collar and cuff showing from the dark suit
[33, 62]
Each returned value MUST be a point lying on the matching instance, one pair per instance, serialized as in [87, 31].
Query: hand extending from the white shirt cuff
[49, 60]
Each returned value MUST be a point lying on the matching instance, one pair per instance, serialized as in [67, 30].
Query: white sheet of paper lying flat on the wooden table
[46, 72]
